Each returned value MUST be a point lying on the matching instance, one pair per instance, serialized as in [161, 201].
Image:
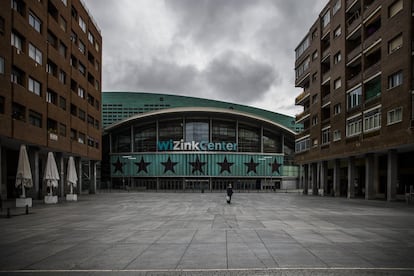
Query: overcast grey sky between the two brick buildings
[239, 51]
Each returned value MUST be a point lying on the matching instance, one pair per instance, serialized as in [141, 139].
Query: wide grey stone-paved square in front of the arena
[199, 234]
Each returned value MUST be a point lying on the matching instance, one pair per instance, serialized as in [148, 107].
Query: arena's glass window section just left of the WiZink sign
[145, 138]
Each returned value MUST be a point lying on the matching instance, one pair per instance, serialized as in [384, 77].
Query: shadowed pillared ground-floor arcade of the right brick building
[385, 175]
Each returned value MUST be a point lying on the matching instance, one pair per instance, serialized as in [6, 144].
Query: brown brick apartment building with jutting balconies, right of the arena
[355, 66]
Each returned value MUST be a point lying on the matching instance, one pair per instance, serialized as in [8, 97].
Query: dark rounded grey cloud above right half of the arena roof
[238, 77]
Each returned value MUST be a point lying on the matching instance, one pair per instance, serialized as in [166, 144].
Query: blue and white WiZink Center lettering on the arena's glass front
[171, 145]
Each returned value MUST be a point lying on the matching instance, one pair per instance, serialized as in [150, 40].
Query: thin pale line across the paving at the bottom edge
[211, 269]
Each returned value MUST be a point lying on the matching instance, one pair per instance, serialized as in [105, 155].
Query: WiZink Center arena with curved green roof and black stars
[166, 142]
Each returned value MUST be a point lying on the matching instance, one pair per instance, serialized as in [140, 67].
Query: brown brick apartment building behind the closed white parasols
[50, 90]
